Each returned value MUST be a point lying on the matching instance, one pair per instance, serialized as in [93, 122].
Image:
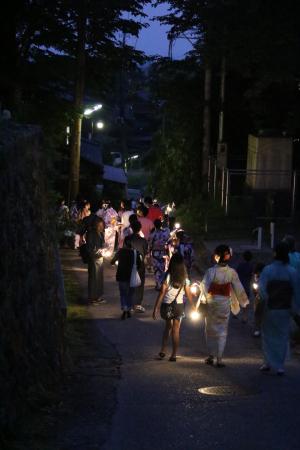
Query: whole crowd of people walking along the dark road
[134, 239]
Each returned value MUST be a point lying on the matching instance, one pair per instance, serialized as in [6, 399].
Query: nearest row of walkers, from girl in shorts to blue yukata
[277, 301]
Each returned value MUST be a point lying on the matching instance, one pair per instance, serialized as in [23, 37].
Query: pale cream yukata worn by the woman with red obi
[218, 311]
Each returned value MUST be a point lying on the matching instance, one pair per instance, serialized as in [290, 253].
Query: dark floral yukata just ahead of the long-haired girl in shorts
[157, 241]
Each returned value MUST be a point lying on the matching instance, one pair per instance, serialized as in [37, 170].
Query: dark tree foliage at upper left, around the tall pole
[38, 61]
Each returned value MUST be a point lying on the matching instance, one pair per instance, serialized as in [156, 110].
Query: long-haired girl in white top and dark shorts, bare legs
[170, 303]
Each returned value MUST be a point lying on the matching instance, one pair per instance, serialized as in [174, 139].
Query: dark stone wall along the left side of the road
[31, 337]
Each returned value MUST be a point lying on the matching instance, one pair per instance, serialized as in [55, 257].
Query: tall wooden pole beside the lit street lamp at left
[78, 102]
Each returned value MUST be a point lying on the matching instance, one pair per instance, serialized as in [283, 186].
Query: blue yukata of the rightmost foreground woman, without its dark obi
[276, 322]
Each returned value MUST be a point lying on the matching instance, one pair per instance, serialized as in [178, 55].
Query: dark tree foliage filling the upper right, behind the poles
[260, 43]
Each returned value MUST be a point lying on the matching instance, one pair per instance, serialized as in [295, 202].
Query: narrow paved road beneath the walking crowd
[159, 403]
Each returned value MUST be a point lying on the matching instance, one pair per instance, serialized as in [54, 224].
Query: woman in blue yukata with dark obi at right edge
[280, 297]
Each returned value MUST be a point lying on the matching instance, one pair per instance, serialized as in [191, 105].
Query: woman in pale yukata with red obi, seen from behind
[220, 286]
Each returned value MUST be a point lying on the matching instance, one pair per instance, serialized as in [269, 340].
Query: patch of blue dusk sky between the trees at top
[153, 40]
